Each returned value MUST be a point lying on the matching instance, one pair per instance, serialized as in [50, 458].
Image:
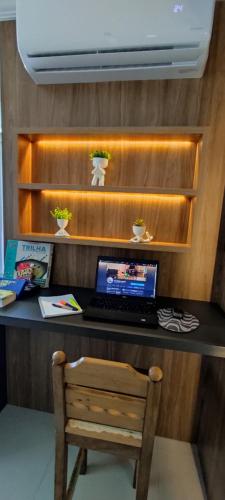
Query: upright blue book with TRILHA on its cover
[28, 260]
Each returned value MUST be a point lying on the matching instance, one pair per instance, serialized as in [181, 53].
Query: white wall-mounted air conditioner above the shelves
[104, 40]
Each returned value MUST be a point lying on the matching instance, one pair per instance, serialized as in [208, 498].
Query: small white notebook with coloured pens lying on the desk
[59, 305]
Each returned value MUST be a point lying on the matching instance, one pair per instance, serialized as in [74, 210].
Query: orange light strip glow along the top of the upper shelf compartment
[115, 143]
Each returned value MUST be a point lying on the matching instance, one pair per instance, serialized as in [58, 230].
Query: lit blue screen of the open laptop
[136, 278]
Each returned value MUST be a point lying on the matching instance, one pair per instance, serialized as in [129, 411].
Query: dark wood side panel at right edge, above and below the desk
[211, 432]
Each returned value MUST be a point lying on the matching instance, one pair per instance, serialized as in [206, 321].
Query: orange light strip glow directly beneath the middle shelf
[123, 196]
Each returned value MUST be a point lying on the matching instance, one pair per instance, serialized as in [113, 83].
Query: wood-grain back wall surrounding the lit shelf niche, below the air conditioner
[148, 103]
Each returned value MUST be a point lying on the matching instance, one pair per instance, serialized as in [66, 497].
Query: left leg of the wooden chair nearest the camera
[61, 457]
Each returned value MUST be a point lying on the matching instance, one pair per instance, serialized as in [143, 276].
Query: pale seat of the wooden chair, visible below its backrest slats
[104, 432]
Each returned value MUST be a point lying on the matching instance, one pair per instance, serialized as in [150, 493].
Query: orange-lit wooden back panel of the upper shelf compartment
[137, 162]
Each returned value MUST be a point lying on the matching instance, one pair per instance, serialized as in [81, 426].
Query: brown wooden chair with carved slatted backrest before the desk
[106, 406]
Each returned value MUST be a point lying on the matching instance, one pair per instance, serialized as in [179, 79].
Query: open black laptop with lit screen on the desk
[125, 292]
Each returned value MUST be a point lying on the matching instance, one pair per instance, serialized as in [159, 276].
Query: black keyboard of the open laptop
[114, 304]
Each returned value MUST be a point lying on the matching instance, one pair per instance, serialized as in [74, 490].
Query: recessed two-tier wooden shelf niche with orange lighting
[153, 174]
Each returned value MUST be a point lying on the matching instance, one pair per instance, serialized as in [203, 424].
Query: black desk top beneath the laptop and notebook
[208, 339]
